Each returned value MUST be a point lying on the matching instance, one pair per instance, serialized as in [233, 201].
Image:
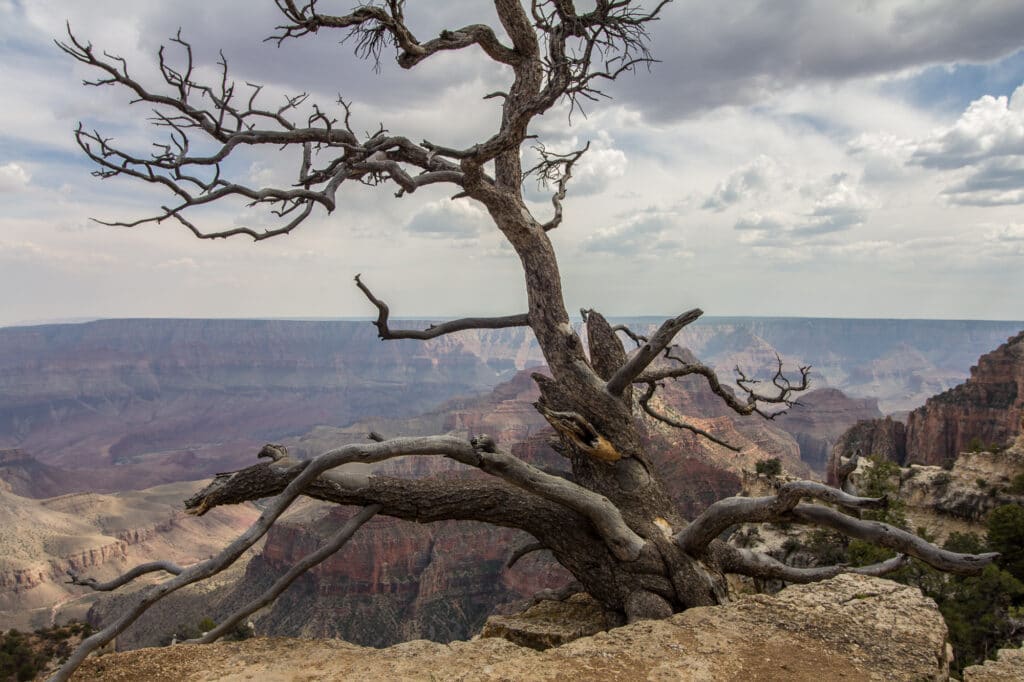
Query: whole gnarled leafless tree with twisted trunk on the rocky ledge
[612, 524]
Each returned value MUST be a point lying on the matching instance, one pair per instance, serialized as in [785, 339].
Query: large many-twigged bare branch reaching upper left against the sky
[219, 114]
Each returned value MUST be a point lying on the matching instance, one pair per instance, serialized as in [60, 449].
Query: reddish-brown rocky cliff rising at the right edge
[987, 409]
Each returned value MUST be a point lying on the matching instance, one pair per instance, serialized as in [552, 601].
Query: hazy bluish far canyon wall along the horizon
[126, 404]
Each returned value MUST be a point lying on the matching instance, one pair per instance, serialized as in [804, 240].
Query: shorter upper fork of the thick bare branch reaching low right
[732, 511]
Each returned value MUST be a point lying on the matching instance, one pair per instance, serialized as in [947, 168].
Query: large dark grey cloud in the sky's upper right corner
[742, 53]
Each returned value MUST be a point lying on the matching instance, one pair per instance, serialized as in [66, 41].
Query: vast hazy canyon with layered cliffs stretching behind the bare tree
[119, 405]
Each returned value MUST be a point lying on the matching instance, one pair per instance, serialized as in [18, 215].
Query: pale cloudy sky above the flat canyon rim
[793, 158]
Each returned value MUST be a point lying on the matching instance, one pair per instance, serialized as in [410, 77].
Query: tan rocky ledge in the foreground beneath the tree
[851, 627]
